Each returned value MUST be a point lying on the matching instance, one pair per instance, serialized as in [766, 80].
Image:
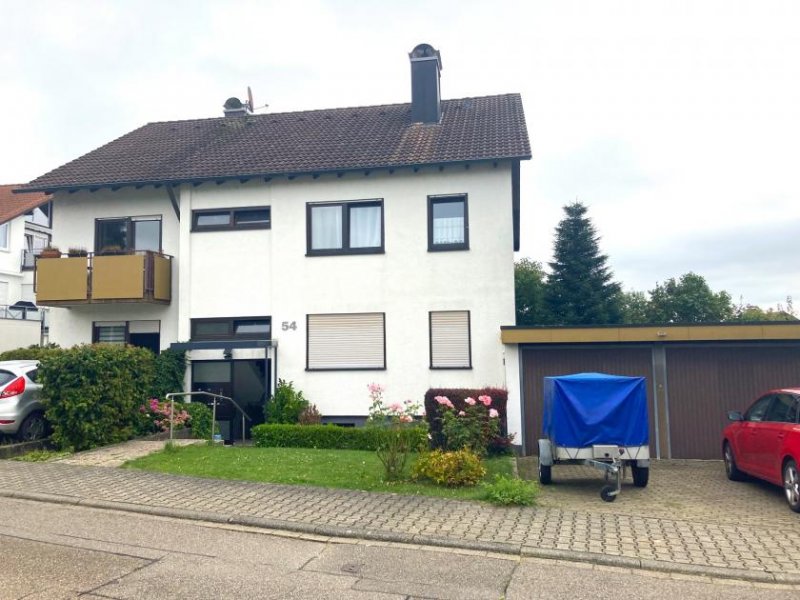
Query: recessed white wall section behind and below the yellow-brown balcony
[73, 226]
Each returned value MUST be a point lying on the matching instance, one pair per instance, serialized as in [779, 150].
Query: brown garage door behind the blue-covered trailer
[538, 363]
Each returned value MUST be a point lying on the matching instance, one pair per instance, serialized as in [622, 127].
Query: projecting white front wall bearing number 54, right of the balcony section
[267, 272]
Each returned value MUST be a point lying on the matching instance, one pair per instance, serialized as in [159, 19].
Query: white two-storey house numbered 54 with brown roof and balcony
[331, 248]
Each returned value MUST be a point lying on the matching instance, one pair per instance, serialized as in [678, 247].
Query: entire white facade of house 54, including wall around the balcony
[266, 272]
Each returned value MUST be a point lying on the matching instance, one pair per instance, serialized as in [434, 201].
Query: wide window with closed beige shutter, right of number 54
[346, 341]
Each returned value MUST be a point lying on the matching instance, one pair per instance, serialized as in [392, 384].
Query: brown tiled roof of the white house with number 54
[317, 141]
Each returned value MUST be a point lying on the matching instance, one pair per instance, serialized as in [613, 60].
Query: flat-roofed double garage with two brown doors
[695, 373]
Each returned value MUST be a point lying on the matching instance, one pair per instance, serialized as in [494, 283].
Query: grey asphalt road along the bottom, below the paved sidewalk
[50, 551]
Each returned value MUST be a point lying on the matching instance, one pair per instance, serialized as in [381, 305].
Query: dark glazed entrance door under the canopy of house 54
[246, 381]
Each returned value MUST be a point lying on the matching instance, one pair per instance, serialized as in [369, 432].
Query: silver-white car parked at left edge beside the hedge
[21, 410]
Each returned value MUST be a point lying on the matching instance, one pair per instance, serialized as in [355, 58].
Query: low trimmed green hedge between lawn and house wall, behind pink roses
[330, 436]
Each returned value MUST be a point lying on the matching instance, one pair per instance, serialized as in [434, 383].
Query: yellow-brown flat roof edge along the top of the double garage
[511, 334]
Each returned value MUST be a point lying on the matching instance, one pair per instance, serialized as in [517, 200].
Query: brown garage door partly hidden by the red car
[704, 383]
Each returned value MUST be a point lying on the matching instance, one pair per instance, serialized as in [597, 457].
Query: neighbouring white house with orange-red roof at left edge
[24, 231]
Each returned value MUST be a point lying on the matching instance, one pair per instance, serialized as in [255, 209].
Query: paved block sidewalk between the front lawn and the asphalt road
[599, 533]
